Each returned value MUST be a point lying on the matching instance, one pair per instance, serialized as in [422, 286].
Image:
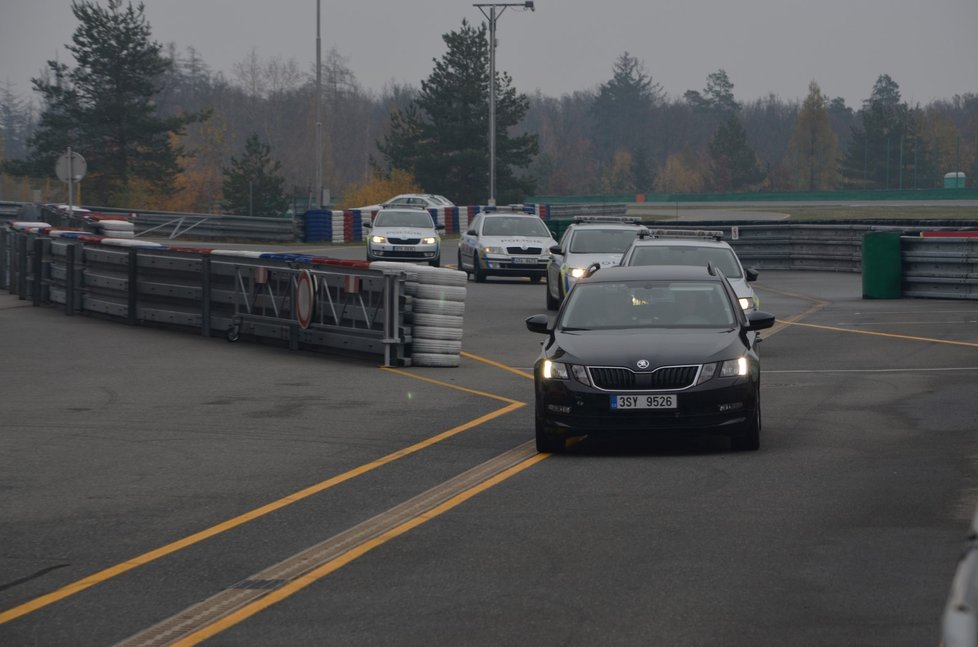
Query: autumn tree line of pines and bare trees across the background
[161, 130]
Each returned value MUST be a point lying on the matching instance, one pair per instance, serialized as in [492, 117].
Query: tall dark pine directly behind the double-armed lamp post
[442, 136]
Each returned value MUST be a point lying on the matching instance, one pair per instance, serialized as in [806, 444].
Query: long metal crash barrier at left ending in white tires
[306, 302]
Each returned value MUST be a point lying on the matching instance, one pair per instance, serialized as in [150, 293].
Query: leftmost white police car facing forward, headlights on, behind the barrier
[404, 234]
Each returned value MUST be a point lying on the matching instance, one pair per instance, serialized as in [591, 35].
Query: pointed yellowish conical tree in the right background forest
[813, 147]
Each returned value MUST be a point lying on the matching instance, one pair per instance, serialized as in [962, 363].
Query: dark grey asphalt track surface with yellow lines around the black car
[160, 487]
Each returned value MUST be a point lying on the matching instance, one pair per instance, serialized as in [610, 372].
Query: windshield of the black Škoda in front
[647, 304]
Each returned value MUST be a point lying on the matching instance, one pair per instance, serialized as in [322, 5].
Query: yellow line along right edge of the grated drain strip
[277, 595]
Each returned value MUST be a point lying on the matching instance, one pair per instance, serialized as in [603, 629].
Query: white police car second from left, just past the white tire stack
[505, 243]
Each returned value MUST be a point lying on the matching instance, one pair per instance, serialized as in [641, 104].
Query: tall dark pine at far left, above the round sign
[104, 108]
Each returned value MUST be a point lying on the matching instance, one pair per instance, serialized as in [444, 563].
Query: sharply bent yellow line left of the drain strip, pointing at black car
[173, 547]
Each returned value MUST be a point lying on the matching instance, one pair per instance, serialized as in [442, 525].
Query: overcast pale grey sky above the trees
[929, 47]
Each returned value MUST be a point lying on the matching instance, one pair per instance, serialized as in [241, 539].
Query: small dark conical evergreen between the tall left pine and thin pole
[253, 185]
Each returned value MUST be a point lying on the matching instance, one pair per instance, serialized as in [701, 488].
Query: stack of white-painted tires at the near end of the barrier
[434, 310]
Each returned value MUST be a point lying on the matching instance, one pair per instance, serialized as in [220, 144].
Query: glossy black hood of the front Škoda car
[661, 347]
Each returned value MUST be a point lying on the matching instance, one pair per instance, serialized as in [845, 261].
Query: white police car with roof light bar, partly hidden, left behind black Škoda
[591, 239]
